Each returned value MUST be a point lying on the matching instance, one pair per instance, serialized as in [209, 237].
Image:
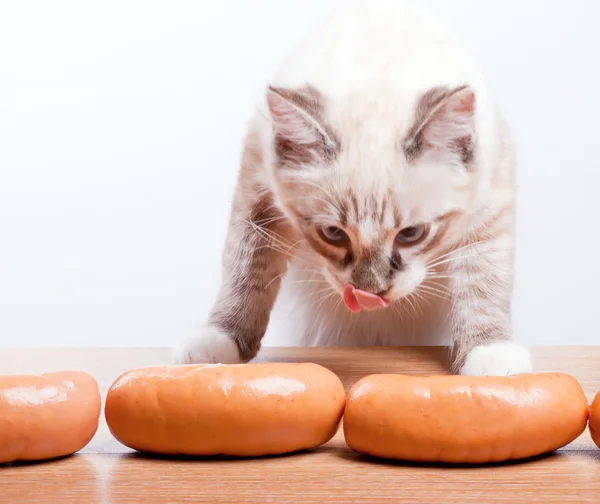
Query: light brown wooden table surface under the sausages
[107, 472]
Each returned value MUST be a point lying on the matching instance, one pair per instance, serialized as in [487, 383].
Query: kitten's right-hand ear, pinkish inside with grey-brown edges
[444, 119]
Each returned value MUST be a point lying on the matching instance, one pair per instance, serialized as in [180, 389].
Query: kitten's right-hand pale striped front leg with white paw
[481, 286]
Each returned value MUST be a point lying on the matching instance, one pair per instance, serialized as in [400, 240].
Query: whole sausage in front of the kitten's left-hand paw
[246, 410]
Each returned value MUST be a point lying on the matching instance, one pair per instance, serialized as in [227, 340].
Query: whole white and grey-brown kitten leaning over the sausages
[375, 201]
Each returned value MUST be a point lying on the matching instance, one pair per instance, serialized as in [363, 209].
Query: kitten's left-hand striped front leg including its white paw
[254, 260]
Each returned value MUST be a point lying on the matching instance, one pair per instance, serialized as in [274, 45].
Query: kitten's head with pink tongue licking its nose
[374, 192]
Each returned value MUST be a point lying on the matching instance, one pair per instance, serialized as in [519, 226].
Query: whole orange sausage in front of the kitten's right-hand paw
[460, 419]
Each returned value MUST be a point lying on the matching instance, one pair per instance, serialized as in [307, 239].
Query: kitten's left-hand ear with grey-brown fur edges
[301, 136]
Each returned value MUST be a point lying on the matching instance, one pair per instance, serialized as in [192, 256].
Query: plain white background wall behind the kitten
[120, 130]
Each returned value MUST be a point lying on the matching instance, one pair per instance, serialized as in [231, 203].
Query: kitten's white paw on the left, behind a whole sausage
[209, 346]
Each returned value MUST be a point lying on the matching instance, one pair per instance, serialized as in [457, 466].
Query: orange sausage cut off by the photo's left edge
[48, 415]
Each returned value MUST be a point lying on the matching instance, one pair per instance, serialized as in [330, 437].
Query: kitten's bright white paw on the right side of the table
[502, 358]
